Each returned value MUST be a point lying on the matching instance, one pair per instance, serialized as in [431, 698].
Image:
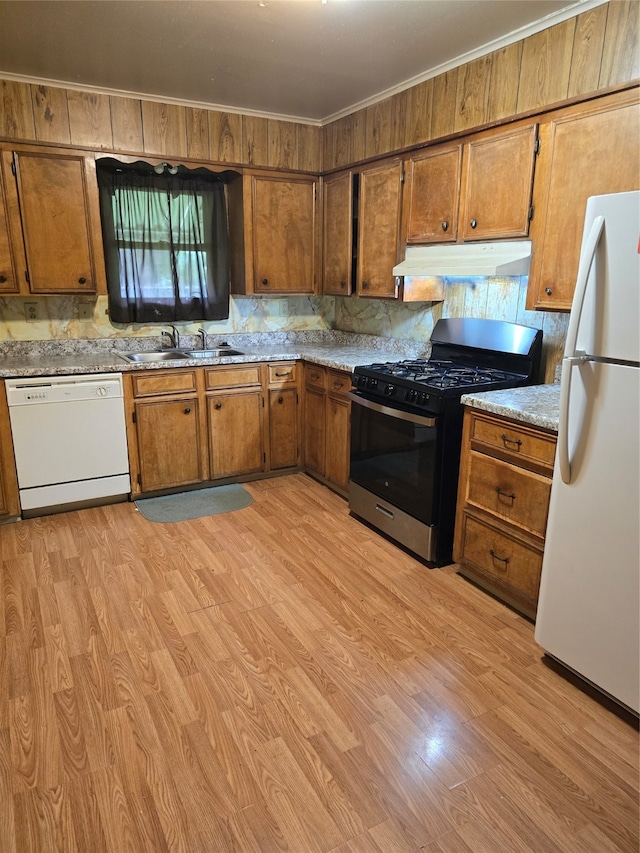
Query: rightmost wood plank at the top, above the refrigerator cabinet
[621, 53]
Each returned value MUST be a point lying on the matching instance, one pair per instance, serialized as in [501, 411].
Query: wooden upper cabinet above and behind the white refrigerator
[590, 149]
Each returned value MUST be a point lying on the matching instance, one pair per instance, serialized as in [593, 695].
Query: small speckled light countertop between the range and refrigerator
[538, 405]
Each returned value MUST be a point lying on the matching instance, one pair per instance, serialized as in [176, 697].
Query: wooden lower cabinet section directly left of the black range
[326, 425]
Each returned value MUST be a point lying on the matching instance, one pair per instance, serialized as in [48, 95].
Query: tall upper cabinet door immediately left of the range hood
[379, 211]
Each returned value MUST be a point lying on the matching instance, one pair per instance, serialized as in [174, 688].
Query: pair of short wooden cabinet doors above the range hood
[479, 190]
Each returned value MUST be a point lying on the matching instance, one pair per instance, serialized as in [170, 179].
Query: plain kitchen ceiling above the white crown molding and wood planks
[309, 60]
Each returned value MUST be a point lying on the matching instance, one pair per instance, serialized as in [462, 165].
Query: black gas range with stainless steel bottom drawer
[406, 426]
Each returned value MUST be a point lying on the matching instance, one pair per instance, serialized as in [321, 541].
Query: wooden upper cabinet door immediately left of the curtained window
[54, 207]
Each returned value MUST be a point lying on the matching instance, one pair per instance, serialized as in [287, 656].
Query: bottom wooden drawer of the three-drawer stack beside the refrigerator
[499, 557]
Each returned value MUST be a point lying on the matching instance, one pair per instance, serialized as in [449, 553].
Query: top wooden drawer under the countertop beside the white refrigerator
[513, 441]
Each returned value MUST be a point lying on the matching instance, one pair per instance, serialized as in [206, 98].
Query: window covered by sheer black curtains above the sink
[166, 243]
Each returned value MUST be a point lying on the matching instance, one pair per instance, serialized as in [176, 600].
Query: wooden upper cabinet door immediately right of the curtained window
[284, 234]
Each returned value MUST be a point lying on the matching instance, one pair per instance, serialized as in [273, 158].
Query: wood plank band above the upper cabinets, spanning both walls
[577, 58]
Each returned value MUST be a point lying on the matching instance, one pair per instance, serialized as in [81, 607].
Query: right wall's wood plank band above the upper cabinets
[577, 58]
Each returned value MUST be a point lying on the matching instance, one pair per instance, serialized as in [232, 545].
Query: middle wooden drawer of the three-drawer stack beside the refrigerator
[515, 495]
